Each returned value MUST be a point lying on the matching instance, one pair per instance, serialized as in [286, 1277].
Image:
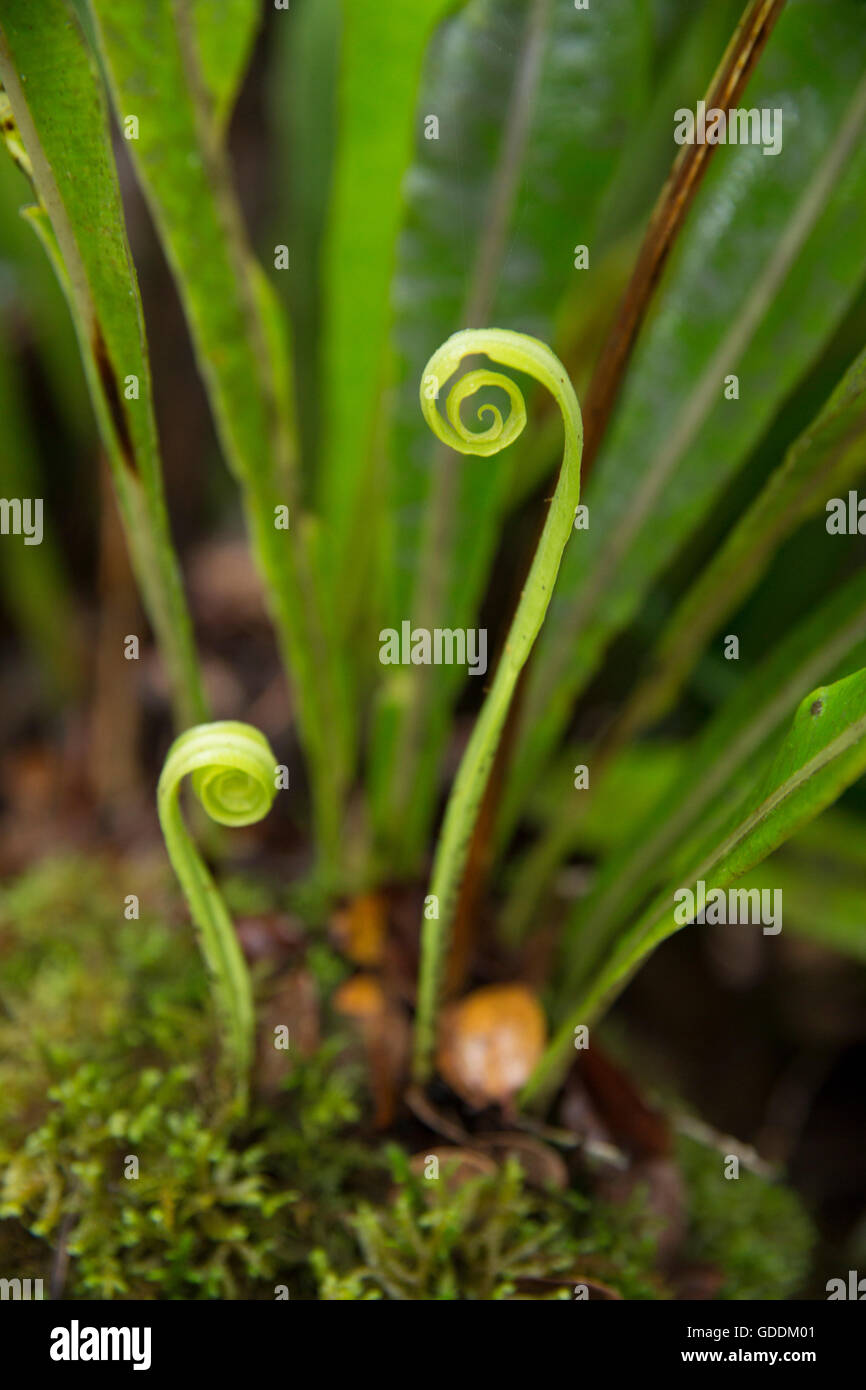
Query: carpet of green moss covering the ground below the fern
[106, 1056]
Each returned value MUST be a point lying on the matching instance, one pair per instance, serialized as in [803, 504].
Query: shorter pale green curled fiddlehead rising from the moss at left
[233, 776]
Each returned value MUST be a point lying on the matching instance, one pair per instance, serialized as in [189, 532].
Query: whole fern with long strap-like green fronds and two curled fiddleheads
[496, 198]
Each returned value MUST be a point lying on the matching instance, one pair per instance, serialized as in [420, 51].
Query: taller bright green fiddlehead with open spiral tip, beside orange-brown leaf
[528, 355]
